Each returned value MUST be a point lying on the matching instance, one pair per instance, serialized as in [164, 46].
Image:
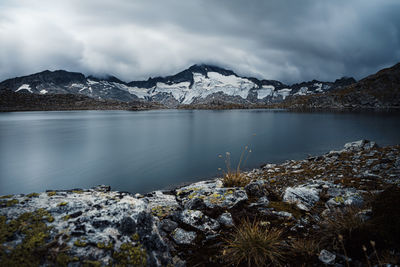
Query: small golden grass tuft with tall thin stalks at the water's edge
[235, 177]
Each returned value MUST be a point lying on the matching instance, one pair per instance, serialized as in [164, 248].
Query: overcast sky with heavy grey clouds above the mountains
[286, 40]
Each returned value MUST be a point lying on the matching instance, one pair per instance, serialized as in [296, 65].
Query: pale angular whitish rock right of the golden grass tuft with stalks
[304, 197]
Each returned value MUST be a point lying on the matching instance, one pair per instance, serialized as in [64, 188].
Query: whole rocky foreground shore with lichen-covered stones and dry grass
[338, 209]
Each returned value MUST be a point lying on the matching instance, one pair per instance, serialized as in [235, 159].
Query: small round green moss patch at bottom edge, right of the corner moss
[130, 255]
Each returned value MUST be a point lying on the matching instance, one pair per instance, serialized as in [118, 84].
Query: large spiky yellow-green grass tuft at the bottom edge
[255, 245]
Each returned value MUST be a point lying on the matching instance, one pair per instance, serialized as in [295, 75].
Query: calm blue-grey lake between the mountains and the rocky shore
[147, 150]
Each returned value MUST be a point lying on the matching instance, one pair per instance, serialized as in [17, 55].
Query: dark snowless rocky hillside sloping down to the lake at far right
[378, 91]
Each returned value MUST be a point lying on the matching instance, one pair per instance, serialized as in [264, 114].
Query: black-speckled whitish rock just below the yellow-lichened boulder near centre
[198, 220]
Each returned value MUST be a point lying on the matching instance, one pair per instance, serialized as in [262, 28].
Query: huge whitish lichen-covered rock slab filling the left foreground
[93, 224]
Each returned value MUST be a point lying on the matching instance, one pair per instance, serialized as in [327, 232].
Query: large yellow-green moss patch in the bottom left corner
[34, 232]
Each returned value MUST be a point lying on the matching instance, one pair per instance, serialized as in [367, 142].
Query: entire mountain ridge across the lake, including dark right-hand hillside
[206, 84]
